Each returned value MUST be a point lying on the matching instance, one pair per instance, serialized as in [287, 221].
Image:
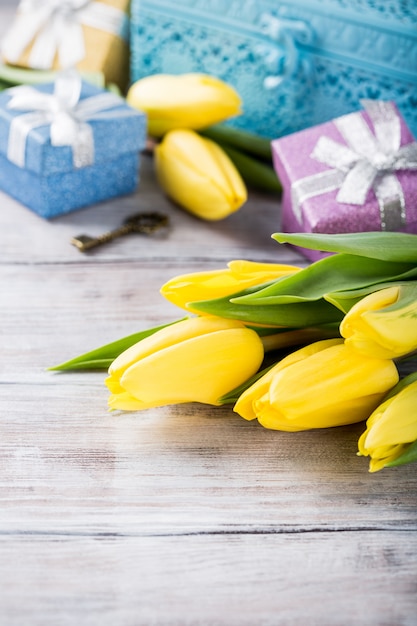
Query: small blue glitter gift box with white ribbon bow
[67, 145]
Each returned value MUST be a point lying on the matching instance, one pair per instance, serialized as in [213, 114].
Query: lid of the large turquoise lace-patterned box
[380, 34]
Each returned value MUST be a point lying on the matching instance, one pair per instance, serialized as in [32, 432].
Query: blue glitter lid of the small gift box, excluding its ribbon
[116, 130]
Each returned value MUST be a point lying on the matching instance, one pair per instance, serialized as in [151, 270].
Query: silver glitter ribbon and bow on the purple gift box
[367, 161]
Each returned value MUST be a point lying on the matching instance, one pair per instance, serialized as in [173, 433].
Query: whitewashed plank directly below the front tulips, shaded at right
[70, 466]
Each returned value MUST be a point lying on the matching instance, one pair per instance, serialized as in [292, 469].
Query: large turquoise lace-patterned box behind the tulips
[295, 63]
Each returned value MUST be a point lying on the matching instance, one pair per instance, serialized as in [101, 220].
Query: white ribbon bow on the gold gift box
[55, 27]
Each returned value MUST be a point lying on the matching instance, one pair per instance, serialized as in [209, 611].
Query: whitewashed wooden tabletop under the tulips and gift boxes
[182, 515]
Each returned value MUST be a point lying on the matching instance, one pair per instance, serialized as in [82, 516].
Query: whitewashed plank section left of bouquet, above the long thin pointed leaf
[51, 313]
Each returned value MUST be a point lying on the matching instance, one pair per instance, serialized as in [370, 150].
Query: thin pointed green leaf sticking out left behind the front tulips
[102, 358]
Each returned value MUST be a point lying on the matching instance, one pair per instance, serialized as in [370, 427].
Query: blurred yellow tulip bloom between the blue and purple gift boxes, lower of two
[198, 175]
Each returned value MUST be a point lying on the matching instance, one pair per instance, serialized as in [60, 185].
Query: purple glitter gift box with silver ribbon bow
[355, 173]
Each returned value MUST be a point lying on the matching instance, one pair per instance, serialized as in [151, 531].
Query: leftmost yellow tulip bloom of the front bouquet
[196, 360]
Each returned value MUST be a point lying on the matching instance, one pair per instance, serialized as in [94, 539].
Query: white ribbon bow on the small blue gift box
[66, 114]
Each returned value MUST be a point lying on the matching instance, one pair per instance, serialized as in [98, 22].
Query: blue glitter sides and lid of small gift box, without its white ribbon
[47, 180]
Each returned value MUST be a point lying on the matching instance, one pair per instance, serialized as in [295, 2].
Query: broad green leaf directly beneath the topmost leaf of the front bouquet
[340, 272]
